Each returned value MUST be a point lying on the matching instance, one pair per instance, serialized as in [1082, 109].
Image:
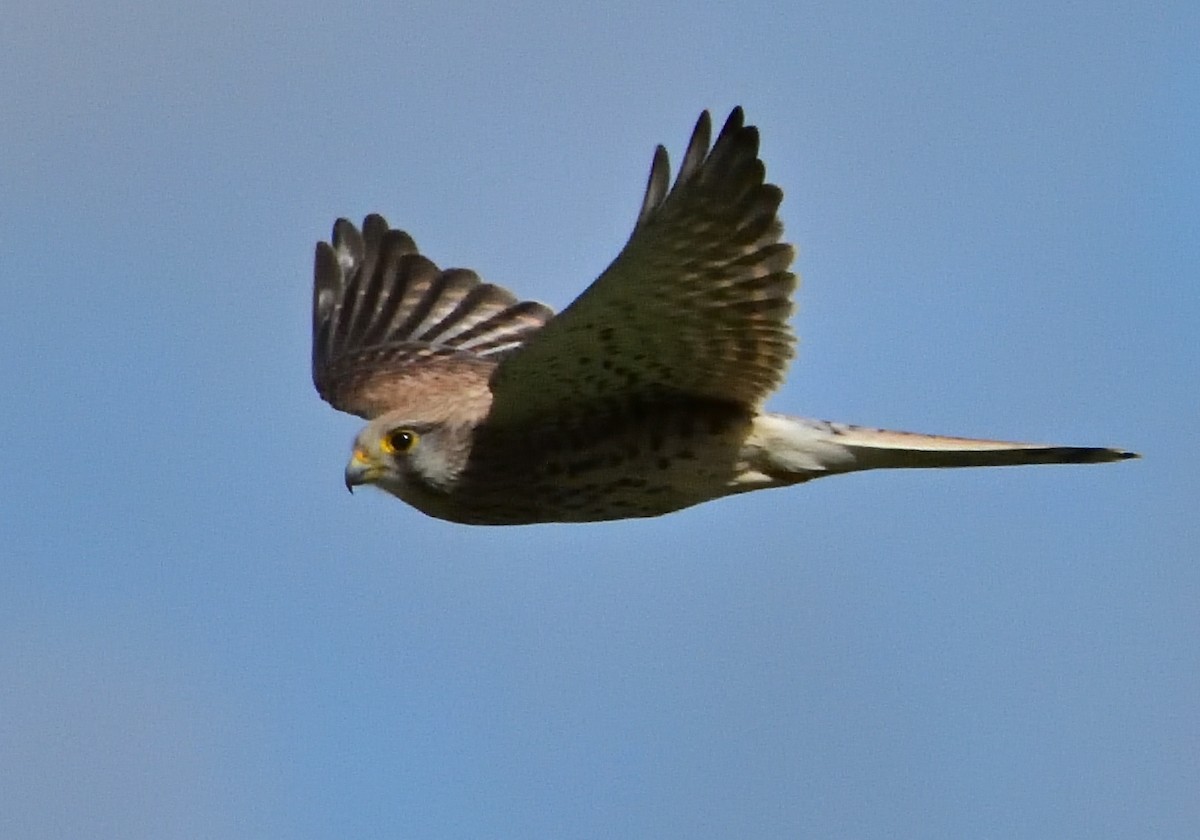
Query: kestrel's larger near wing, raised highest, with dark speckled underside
[697, 304]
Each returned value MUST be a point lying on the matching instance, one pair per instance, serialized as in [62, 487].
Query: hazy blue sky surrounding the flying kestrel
[202, 635]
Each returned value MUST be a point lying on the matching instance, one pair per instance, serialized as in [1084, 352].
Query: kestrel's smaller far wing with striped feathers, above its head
[381, 311]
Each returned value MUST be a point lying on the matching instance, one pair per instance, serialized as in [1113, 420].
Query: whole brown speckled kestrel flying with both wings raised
[643, 398]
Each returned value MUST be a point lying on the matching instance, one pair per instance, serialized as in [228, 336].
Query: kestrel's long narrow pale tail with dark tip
[796, 449]
